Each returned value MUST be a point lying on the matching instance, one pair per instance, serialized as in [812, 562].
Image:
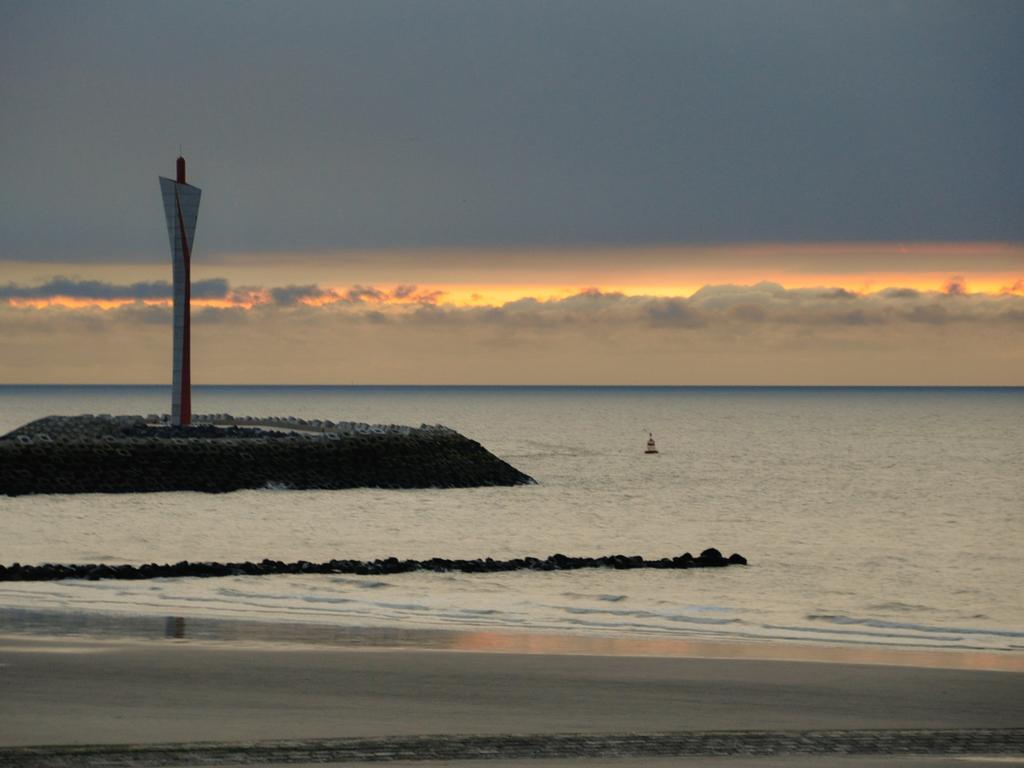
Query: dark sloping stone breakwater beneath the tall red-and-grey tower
[221, 453]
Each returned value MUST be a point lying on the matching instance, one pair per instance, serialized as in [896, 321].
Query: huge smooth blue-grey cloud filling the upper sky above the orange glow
[324, 125]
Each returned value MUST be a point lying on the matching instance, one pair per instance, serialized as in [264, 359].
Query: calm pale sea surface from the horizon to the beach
[870, 517]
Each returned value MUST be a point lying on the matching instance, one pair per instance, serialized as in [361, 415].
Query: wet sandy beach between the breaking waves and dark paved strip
[133, 679]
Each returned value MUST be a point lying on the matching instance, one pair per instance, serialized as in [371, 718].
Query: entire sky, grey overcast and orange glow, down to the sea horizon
[728, 192]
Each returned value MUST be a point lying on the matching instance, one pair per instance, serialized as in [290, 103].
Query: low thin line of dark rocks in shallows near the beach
[710, 559]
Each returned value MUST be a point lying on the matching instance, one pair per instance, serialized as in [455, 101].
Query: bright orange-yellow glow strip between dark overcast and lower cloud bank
[463, 278]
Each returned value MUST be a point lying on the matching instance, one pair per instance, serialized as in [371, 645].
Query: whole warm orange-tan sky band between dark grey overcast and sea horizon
[840, 314]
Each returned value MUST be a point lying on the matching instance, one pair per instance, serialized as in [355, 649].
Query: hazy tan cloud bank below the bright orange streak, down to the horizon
[782, 336]
